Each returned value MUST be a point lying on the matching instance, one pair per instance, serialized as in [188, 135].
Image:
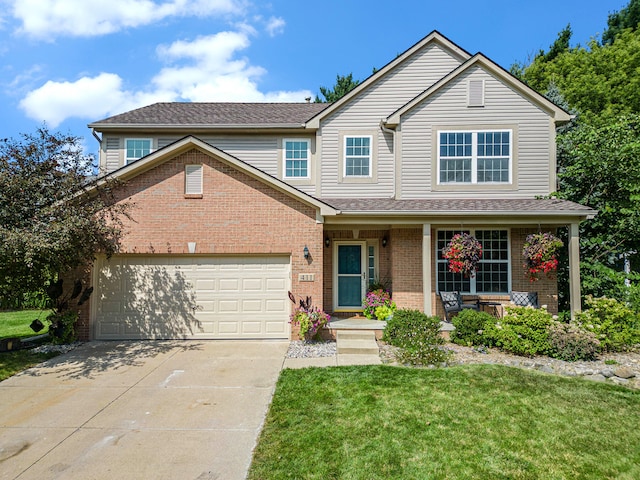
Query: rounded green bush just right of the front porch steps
[418, 337]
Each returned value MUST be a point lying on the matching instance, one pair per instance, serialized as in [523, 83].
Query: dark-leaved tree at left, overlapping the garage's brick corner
[54, 214]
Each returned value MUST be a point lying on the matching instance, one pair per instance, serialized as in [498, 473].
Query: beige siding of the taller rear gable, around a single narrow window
[364, 113]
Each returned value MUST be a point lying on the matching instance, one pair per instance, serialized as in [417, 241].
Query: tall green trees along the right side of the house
[599, 151]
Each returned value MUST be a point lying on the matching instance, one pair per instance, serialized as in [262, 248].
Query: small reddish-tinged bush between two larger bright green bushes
[571, 342]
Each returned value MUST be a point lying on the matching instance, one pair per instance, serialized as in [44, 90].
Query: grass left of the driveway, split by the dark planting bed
[16, 325]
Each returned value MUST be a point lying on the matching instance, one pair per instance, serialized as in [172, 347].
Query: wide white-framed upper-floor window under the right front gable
[475, 157]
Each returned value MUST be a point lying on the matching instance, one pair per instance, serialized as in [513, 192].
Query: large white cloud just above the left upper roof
[205, 69]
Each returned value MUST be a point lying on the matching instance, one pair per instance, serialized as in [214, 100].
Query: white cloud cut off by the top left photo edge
[46, 20]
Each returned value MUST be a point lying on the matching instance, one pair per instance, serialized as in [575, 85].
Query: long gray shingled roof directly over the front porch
[442, 205]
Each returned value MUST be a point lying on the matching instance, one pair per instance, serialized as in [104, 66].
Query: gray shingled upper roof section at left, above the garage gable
[217, 114]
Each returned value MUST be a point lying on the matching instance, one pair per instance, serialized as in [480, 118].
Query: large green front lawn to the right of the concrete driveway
[465, 422]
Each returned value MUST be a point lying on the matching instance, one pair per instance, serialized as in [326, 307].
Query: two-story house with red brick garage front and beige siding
[237, 203]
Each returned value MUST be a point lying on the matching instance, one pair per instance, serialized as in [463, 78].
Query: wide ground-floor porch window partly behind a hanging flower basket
[492, 275]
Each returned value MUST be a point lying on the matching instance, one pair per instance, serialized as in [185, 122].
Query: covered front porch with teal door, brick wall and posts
[407, 261]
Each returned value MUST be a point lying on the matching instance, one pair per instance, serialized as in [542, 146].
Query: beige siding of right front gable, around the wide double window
[503, 108]
